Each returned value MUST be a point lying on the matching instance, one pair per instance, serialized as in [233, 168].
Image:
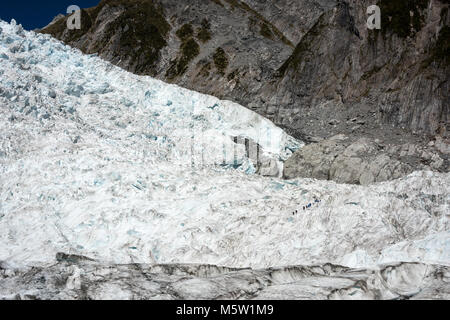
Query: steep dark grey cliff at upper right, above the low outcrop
[398, 72]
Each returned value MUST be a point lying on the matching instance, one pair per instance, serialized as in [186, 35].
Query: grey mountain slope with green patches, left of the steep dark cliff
[215, 47]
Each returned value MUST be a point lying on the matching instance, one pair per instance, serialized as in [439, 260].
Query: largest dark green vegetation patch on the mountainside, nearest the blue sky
[142, 27]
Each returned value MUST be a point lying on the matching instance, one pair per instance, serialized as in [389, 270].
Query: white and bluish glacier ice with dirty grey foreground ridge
[130, 171]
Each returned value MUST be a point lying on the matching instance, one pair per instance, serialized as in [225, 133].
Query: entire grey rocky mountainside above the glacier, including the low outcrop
[310, 66]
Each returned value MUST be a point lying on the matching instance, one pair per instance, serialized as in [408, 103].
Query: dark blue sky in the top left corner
[37, 14]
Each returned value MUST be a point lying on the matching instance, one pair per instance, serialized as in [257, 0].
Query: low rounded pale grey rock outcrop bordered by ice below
[362, 162]
